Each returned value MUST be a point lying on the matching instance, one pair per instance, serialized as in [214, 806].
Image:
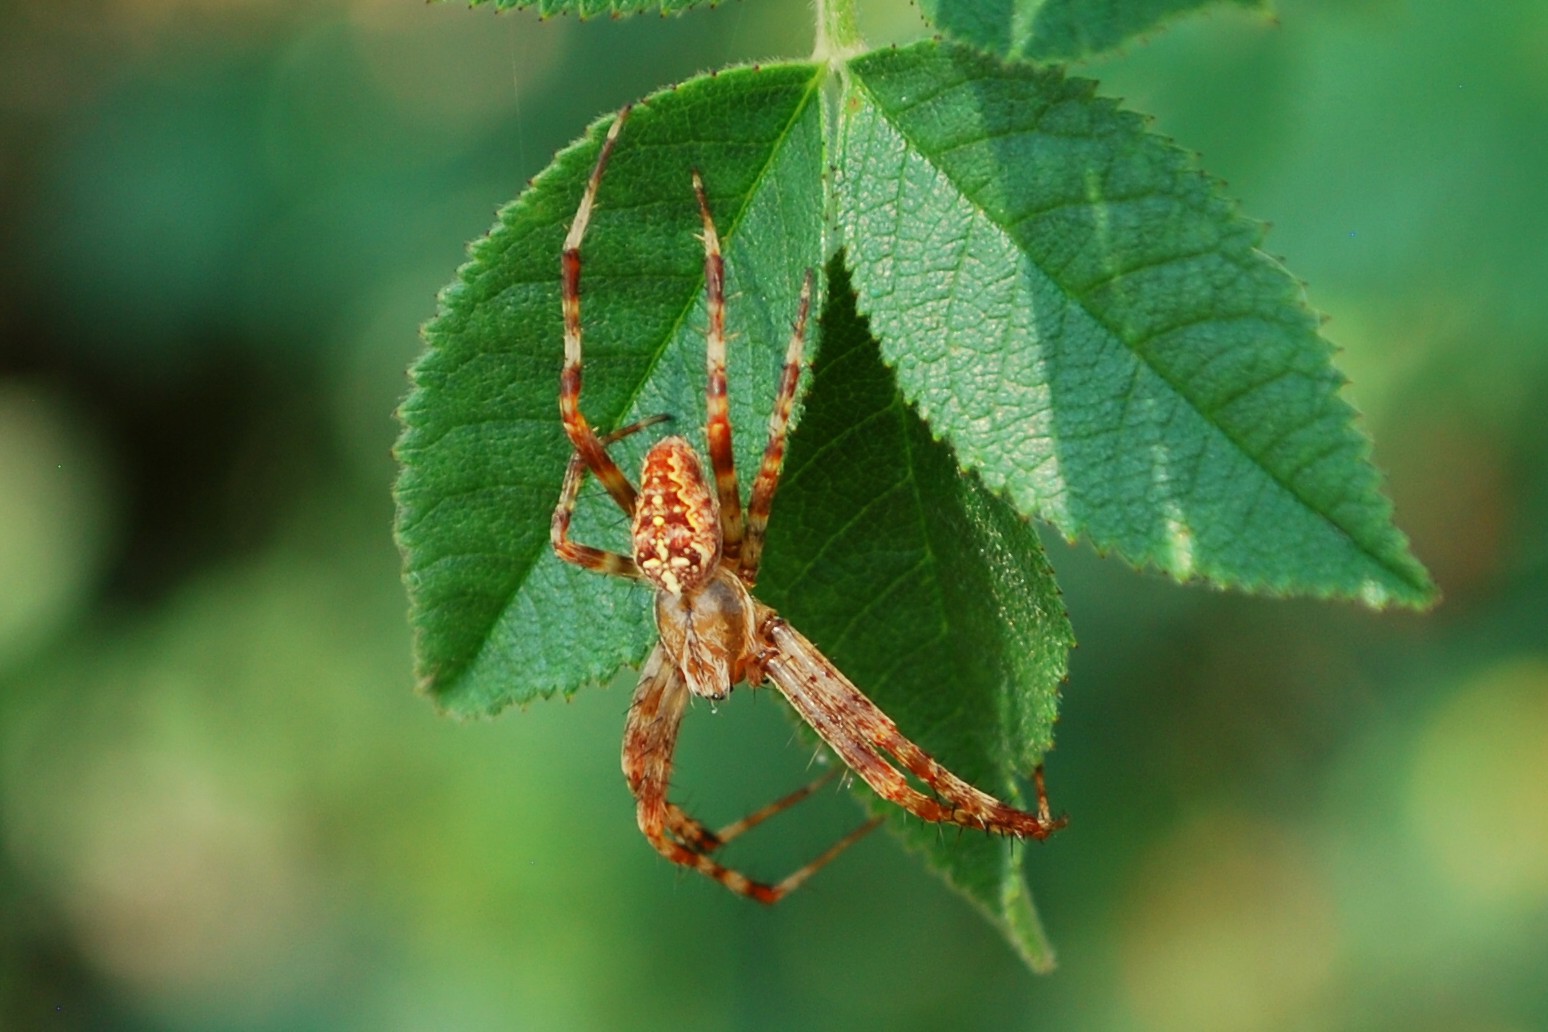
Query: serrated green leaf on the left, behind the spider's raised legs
[499, 620]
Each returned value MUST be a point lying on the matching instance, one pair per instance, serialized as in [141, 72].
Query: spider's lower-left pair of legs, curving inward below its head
[649, 742]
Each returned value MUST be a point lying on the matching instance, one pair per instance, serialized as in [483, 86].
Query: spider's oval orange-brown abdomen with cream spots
[677, 521]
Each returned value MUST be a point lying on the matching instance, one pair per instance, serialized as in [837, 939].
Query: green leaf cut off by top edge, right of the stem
[1058, 30]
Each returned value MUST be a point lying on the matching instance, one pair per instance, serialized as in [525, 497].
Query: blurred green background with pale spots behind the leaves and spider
[222, 807]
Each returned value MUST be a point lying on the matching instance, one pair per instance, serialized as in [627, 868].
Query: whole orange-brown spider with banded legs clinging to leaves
[700, 550]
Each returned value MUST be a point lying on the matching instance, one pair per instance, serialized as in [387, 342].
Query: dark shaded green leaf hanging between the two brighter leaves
[931, 593]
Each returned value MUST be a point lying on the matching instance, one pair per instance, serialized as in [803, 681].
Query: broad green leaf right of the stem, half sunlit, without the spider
[1092, 326]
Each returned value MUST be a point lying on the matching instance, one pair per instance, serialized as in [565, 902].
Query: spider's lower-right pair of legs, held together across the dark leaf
[858, 731]
